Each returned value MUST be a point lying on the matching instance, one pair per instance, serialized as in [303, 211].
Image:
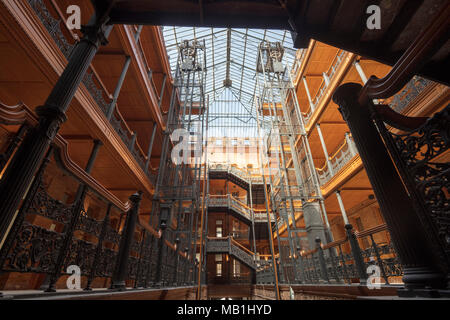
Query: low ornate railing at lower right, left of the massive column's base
[335, 262]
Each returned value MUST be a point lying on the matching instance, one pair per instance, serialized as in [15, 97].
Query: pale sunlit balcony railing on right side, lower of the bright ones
[346, 151]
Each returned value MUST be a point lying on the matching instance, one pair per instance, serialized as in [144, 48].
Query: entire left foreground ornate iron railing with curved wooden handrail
[52, 231]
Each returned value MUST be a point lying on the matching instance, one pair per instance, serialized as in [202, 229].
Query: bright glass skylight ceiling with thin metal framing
[232, 111]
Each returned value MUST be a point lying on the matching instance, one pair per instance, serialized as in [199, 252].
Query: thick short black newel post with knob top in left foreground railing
[120, 272]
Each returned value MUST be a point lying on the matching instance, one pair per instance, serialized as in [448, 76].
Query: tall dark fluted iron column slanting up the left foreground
[29, 155]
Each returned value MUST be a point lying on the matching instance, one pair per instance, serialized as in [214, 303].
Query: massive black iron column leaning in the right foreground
[410, 240]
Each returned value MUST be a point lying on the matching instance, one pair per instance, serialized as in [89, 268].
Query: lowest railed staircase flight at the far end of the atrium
[230, 246]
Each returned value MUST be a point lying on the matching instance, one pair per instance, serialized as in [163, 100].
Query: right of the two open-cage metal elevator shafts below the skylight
[288, 162]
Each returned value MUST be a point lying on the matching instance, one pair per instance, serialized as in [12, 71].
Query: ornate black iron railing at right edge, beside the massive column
[420, 151]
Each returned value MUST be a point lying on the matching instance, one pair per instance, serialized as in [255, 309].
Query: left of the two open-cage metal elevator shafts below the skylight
[176, 204]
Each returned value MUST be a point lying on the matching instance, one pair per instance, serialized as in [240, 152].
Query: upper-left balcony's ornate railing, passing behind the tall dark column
[66, 39]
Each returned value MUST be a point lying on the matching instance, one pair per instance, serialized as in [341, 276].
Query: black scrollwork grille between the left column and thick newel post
[43, 224]
